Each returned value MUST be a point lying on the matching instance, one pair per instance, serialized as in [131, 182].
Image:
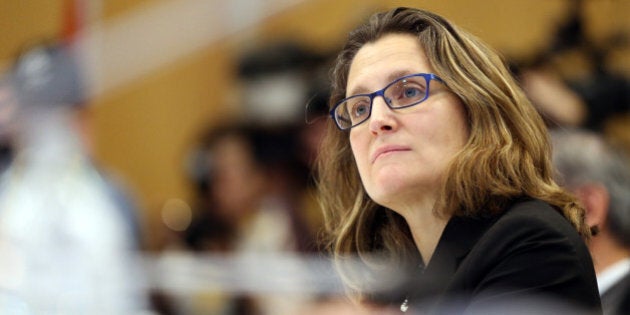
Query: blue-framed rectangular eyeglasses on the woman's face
[403, 92]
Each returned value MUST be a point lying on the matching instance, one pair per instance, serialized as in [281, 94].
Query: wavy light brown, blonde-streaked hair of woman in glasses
[506, 157]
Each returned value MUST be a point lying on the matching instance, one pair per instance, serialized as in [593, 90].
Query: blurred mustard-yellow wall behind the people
[142, 129]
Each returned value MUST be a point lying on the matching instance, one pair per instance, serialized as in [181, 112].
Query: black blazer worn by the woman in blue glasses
[528, 260]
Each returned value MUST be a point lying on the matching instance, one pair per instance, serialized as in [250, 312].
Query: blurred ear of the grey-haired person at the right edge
[595, 199]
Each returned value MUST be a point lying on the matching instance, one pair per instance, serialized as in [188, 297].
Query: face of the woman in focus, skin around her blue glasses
[402, 154]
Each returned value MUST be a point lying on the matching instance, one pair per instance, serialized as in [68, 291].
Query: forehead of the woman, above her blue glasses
[386, 59]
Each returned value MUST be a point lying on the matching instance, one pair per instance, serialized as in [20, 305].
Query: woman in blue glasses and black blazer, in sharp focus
[441, 168]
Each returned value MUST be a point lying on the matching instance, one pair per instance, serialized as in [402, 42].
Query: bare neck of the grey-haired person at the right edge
[606, 251]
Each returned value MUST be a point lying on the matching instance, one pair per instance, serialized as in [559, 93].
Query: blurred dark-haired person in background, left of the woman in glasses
[232, 186]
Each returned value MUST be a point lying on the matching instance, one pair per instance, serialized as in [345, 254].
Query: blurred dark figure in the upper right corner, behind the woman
[571, 80]
